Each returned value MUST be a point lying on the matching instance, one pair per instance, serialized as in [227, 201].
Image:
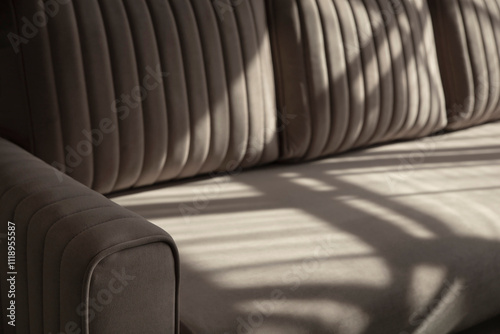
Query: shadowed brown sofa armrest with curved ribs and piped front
[72, 261]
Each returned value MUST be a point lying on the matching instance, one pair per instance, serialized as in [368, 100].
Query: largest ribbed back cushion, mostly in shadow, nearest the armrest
[126, 93]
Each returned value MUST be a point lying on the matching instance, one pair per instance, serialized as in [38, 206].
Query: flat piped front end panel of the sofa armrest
[135, 310]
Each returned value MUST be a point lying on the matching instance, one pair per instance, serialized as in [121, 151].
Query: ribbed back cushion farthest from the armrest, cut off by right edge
[468, 44]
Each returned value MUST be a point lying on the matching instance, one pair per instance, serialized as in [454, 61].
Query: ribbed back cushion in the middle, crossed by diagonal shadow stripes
[352, 73]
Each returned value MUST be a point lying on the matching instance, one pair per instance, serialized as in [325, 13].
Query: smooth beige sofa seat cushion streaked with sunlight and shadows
[400, 239]
